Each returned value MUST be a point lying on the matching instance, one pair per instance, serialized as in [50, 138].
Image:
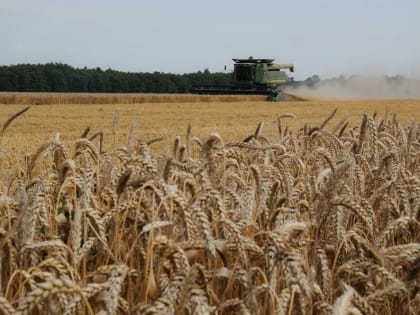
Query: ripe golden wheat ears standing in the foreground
[317, 221]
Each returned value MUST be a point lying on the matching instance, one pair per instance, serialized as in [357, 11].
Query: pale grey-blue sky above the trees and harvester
[324, 37]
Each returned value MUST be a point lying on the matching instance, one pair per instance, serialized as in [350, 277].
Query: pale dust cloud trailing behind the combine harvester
[360, 87]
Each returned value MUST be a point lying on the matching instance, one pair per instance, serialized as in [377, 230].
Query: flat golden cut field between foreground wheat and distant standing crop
[232, 120]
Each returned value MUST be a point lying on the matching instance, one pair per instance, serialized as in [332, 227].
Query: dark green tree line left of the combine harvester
[58, 77]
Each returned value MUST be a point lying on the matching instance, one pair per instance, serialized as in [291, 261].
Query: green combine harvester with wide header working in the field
[253, 77]
